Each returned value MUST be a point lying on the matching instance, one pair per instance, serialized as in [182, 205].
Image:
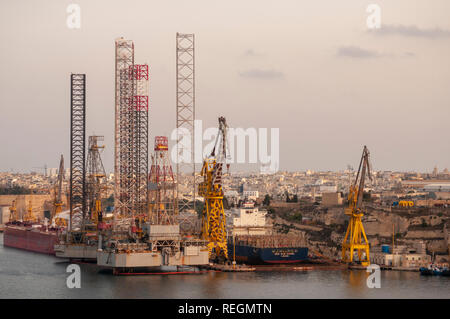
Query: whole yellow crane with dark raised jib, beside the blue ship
[213, 217]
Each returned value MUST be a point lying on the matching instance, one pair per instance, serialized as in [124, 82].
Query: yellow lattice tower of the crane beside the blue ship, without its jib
[213, 218]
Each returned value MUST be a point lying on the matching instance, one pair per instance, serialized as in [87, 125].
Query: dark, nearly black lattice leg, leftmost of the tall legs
[77, 147]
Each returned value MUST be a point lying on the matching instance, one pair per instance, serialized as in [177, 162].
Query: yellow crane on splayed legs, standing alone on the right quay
[355, 237]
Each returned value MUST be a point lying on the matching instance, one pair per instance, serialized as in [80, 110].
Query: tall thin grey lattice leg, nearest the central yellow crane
[185, 108]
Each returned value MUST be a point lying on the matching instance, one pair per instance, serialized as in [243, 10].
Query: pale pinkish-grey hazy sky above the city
[313, 69]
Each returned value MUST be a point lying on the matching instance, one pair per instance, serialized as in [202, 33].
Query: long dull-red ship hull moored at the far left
[35, 239]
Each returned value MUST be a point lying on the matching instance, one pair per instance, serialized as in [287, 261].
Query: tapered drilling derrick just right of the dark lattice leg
[96, 184]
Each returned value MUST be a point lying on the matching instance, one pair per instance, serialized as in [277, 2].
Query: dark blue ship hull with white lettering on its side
[280, 255]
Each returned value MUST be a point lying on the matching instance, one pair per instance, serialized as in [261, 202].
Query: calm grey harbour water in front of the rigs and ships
[29, 275]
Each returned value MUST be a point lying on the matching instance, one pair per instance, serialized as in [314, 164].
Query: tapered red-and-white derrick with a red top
[162, 199]
